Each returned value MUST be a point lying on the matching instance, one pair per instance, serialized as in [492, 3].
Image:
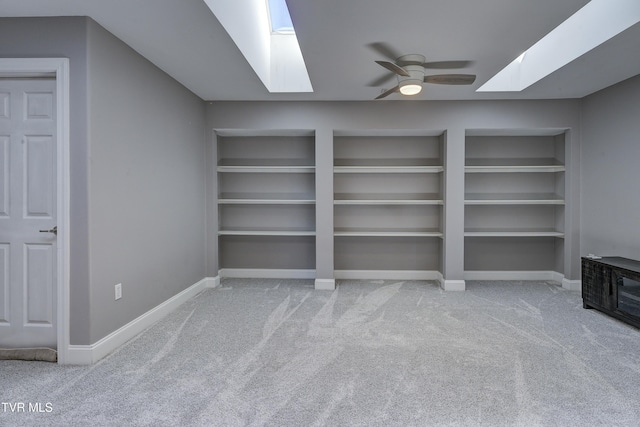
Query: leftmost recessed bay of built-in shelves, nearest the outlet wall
[266, 200]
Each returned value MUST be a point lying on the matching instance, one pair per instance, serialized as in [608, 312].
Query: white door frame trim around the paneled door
[58, 67]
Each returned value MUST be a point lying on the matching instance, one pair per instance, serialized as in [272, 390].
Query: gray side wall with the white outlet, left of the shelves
[146, 184]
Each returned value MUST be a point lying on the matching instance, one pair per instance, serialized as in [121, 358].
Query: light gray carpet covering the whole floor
[278, 353]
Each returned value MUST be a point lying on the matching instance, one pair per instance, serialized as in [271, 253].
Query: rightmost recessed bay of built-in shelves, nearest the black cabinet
[514, 201]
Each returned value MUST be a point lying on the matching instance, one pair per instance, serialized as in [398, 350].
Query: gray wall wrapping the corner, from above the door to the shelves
[137, 173]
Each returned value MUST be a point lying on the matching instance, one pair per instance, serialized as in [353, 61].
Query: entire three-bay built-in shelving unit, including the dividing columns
[380, 210]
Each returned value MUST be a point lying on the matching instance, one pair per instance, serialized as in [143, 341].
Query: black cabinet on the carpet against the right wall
[612, 285]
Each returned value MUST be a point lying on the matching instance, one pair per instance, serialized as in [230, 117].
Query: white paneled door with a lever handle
[28, 287]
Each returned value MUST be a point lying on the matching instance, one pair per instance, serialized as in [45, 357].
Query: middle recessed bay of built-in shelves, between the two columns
[388, 200]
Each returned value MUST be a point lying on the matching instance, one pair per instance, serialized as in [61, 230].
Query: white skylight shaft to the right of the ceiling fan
[594, 24]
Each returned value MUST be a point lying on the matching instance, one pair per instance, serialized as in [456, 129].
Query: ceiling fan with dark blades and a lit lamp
[410, 71]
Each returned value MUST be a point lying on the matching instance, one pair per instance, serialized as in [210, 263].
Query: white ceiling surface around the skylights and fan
[184, 38]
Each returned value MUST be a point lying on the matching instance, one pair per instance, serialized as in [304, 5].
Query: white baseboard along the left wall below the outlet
[88, 354]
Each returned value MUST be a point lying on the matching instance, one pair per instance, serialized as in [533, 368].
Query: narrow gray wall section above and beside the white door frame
[67, 38]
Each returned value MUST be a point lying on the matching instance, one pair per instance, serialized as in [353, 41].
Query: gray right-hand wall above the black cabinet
[610, 171]
